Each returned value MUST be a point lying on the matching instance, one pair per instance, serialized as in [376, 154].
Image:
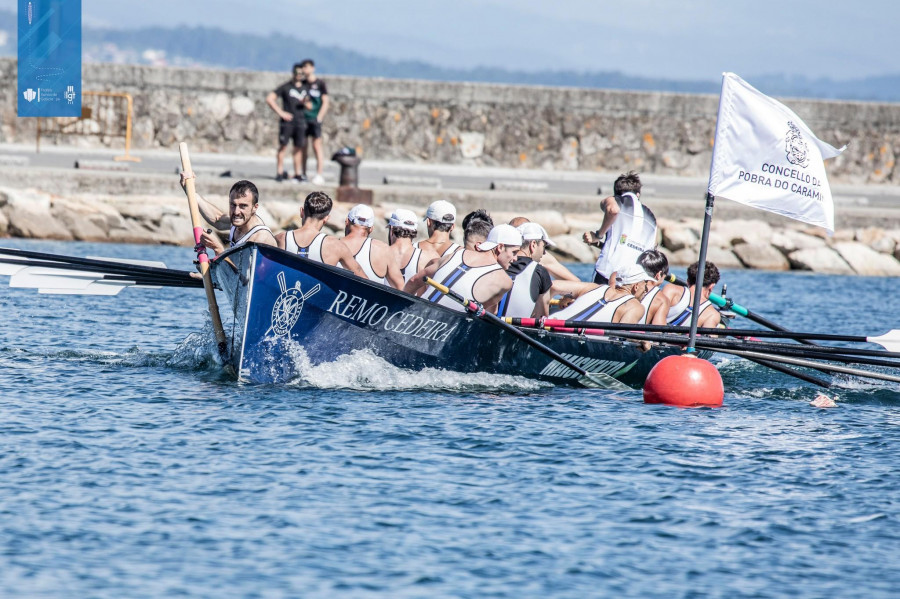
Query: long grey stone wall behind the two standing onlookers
[456, 123]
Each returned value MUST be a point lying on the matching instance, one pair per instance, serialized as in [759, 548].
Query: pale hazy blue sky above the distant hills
[696, 39]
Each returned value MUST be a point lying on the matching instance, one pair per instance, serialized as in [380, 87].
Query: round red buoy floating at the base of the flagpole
[684, 381]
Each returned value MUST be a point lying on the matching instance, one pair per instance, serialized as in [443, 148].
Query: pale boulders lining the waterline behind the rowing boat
[734, 243]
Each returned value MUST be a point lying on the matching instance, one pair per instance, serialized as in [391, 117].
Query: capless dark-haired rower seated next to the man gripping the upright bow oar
[310, 242]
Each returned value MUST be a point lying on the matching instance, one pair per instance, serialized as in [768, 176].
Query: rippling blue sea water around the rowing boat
[130, 466]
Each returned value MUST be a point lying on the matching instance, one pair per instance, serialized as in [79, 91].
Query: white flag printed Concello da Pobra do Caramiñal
[766, 157]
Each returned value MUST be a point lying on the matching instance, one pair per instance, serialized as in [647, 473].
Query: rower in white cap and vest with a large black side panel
[530, 294]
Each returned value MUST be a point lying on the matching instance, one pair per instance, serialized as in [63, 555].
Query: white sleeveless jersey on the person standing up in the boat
[633, 232]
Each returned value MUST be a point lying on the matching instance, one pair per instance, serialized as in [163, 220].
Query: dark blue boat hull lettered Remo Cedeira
[284, 305]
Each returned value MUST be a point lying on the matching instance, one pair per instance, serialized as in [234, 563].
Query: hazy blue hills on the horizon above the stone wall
[211, 47]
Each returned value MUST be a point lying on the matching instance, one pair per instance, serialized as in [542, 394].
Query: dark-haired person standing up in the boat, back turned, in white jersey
[628, 228]
